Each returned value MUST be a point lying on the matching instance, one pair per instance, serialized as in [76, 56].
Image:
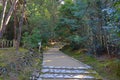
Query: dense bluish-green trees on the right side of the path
[90, 24]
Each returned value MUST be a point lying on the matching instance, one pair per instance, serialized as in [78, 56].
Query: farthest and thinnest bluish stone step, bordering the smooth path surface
[70, 68]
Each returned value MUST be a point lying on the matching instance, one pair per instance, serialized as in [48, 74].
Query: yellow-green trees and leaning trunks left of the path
[37, 18]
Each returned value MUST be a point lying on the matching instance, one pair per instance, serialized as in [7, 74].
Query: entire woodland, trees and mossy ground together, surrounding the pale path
[89, 28]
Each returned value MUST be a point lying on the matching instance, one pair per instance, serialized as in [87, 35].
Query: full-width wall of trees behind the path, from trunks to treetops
[87, 24]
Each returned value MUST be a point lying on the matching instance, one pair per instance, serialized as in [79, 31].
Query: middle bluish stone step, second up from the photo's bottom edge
[67, 71]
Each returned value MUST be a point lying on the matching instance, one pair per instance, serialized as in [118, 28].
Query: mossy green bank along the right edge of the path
[108, 68]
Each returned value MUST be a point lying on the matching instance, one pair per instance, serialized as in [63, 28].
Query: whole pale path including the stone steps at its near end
[58, 66]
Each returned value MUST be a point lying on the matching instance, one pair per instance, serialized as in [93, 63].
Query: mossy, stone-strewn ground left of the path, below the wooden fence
[18, 65]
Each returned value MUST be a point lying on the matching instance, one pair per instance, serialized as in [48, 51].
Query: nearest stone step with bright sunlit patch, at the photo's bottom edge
[66, 76]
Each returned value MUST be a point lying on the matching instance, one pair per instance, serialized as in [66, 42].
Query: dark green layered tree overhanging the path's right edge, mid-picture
[71, 22]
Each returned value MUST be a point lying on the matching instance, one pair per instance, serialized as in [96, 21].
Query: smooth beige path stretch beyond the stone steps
[54, 57]
